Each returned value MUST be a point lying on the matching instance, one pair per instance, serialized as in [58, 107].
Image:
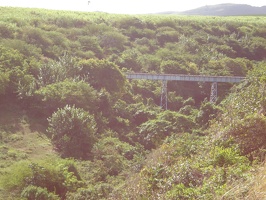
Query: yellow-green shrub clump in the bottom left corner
[46, 179]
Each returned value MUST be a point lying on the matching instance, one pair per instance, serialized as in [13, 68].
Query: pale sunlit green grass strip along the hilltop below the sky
[23, 15]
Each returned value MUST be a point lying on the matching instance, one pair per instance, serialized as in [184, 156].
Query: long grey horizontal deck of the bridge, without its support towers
[182, 77]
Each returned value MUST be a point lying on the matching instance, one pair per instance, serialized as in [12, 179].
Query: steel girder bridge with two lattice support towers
[181, 77]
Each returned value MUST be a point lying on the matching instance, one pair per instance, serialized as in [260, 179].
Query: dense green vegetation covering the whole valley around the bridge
[73, 127]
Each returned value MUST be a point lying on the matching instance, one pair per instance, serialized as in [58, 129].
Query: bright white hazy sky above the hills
[123, 6]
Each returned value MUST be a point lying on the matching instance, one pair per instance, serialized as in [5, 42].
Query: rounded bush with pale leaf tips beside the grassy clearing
[73, 131]
